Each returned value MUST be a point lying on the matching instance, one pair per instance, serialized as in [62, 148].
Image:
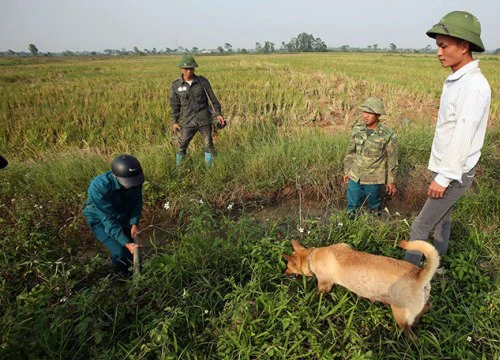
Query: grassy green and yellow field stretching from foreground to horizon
[212, 284]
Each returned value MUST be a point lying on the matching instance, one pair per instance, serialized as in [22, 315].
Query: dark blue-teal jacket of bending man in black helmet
[112, 205]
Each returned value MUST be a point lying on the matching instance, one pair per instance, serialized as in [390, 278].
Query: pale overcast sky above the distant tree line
[57, 25]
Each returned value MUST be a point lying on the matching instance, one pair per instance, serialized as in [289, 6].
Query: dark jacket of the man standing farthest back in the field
[190, 103]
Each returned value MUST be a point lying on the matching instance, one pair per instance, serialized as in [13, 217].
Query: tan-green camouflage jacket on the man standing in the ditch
[371, 159]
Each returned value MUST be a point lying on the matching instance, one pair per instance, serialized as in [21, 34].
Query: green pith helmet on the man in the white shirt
[462, 25]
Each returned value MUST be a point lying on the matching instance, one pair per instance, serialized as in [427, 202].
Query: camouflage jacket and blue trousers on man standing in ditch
[371, 160]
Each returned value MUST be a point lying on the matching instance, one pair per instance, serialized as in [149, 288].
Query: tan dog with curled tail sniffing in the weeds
[402, 285]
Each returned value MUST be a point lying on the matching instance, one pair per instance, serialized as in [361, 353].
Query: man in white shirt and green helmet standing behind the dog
[460, 128]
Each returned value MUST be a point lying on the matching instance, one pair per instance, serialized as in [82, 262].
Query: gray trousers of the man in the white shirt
[436, 214]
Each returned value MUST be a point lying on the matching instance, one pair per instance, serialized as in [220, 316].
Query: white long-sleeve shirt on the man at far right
[461, 125]
